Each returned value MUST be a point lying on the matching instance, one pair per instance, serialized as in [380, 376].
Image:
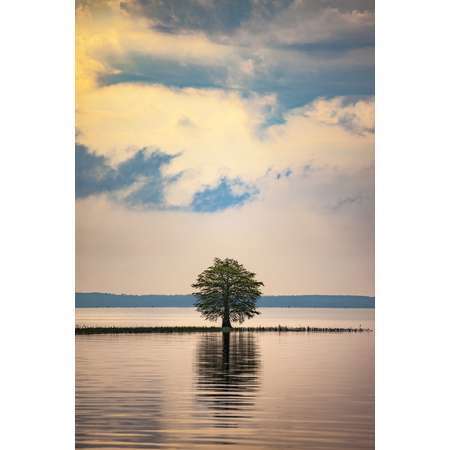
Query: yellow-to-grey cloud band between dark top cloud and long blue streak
[110, 35]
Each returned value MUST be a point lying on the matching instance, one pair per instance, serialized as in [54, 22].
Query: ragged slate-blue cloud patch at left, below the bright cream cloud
[139, 182]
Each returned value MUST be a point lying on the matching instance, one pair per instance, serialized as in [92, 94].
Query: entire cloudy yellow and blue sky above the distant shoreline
[212, 128]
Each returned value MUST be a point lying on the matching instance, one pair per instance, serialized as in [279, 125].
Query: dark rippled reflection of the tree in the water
[228, 376]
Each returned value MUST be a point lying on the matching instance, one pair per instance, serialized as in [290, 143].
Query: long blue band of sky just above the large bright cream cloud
[294, 87]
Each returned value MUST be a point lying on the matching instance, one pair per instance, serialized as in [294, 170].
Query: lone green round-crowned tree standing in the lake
[227, 290]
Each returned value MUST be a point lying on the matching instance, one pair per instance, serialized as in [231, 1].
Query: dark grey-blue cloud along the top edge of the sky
[284, 22]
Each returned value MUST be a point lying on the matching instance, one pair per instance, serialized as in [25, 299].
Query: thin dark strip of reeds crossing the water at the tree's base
[180, 329]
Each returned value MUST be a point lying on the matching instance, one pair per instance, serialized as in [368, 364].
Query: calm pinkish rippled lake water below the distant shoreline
[211, 390]
